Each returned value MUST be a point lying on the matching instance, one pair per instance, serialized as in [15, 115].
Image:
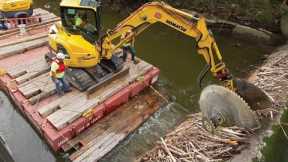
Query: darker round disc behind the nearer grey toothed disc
[256, 98]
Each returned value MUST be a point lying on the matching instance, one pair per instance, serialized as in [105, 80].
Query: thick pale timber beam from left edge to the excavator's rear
[8, 51]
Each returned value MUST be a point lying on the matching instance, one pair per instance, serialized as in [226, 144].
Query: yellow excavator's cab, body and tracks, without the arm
[78, 37]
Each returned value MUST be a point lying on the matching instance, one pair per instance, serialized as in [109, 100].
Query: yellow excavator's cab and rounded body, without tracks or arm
[77, 34]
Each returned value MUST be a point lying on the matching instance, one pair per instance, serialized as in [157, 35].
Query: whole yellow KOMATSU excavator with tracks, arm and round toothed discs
[91, 55]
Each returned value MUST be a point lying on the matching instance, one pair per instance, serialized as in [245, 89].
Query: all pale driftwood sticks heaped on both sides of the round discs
[190, 142]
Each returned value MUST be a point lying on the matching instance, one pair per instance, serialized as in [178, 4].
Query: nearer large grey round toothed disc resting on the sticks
[221, 106]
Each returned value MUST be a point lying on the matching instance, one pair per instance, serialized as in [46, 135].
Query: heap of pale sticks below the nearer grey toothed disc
[189, 142]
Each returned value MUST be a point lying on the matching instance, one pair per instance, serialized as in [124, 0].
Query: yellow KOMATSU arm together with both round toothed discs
[219, 105]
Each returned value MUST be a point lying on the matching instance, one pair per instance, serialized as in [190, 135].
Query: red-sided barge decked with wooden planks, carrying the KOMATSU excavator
[85, 125]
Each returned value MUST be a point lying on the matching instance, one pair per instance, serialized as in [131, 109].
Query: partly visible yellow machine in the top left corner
[16, 8]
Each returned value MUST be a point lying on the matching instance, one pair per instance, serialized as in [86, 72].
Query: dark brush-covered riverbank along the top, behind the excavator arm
[265, 14]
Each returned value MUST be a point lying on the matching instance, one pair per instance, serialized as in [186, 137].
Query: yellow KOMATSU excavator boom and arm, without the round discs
[183, 22]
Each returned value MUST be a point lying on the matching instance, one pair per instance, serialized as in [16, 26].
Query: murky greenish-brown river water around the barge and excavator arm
[175, 55]
